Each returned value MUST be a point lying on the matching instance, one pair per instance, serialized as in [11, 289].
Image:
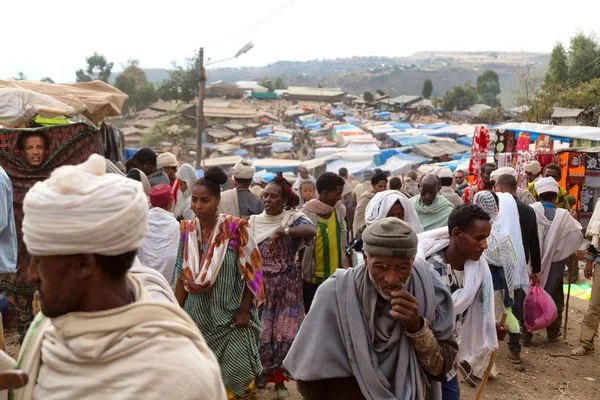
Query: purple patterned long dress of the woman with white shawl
[282, 312]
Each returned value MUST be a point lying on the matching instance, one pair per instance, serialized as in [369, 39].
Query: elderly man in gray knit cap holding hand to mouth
[382, 330]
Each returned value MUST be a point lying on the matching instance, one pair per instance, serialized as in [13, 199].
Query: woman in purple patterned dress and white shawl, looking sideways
[280, 234]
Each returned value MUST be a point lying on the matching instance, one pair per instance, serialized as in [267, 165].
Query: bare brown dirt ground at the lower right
[550, 372]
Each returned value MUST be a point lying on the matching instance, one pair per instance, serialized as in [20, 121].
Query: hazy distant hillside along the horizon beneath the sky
[405, 74]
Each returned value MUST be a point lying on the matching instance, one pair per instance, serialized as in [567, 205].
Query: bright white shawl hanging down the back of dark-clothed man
[508, 217]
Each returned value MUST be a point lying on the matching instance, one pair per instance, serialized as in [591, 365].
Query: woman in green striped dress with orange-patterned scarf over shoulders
[219, 284]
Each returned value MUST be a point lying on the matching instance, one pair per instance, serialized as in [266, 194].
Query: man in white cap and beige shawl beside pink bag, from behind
[560, 236]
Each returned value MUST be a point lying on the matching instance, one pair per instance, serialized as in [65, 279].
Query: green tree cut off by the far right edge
[584, 59]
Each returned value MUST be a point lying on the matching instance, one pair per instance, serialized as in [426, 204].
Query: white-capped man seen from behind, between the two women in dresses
[240, 202]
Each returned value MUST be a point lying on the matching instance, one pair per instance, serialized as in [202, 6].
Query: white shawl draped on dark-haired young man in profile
[477, 335]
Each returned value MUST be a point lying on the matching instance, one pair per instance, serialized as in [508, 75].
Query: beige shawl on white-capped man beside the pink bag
[559, 238]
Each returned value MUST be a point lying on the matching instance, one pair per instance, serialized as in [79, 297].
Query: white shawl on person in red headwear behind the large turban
[159, 249]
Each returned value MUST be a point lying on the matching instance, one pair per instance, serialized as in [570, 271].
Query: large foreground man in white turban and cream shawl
[99, 325]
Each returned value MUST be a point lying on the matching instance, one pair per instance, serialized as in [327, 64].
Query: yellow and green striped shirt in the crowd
[327, 248]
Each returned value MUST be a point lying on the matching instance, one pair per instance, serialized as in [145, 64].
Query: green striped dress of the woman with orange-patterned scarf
[213, 311]
